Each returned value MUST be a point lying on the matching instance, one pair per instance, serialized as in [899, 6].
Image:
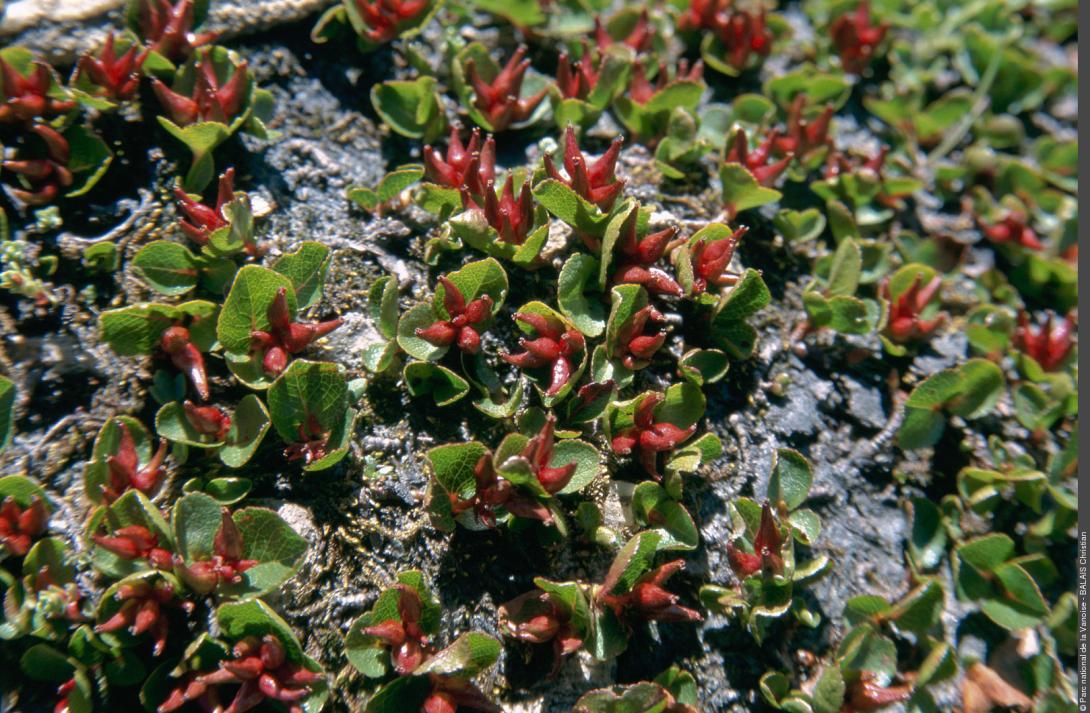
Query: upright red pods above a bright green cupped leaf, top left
[209, 100]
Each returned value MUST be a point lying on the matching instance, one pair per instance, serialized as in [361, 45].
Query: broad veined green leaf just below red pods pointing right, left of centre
[307, 390]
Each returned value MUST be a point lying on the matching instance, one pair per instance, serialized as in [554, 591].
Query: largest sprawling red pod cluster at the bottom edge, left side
[262, 668]
